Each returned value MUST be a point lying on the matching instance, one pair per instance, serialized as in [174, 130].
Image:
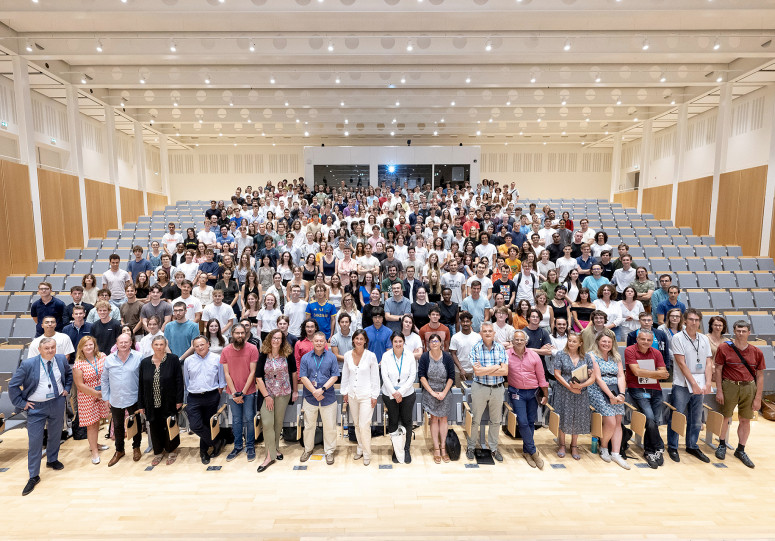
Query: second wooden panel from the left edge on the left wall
[61, 220]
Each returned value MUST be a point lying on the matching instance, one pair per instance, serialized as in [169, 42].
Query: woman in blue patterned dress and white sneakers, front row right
[607, 396]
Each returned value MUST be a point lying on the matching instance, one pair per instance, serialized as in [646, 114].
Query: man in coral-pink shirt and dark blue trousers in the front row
[525, 377]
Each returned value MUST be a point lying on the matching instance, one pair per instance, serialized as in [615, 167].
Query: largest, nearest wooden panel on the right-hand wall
[740, 214]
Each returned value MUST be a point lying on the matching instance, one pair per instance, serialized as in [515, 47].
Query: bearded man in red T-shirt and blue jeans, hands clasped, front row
[239, 361]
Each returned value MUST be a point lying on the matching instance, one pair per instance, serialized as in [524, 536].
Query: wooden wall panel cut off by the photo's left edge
[18, 227]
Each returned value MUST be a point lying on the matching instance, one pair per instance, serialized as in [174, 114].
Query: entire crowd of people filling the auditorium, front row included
[286, 291]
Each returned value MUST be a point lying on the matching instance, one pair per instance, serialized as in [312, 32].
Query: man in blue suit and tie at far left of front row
[40, 387]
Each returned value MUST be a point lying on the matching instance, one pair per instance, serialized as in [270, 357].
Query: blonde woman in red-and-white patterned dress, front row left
[87, 372]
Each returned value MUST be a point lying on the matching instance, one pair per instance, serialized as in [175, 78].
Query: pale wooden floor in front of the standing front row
[586, 499]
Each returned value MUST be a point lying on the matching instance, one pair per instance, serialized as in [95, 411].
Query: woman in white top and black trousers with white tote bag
[399, 369]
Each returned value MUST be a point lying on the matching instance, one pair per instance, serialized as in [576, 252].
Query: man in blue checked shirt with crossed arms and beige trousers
[490, 366]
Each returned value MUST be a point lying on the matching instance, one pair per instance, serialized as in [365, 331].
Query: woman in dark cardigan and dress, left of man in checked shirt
[437, 375]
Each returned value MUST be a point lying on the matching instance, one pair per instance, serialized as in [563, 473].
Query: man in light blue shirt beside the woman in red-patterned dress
[120, 382]
